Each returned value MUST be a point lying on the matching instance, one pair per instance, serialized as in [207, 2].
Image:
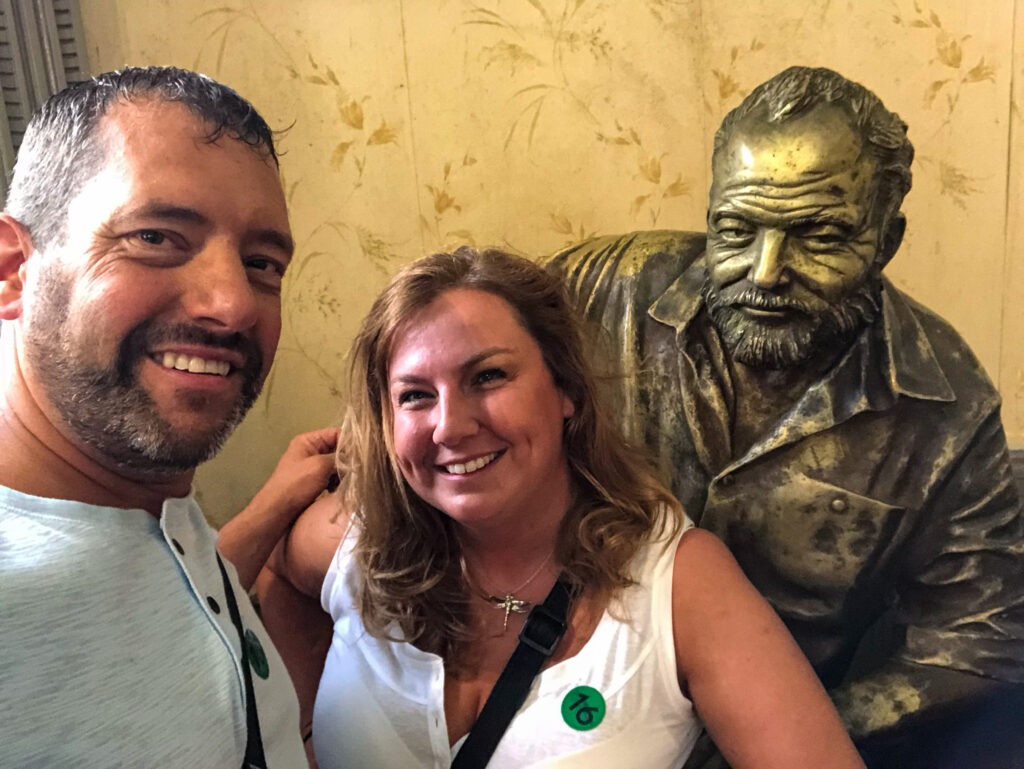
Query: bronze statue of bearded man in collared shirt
[841, 439]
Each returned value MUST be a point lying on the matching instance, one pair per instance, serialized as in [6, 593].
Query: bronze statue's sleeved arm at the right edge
[961, 610]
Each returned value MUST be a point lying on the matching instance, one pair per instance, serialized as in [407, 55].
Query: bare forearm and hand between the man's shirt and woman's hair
[302, 476]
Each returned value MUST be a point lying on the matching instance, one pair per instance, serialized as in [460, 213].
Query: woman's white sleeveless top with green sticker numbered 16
[380, 704]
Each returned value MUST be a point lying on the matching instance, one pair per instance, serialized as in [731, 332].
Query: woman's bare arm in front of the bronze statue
[754, 690]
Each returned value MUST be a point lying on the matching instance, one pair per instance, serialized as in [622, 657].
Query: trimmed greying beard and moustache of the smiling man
[106, 407]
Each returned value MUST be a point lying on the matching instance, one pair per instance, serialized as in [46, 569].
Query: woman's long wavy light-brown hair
[408, 551]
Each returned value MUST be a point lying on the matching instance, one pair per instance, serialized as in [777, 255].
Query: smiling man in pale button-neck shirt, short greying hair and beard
[141, 264]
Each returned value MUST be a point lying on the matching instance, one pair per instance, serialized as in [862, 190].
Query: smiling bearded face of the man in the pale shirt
[150, 330]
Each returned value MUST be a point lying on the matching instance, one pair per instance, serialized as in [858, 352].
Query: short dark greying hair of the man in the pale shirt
[60, 152]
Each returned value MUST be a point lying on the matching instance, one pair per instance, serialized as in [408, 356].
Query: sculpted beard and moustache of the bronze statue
[828, 331]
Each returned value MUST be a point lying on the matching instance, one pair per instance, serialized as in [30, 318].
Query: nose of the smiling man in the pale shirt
[220, 294]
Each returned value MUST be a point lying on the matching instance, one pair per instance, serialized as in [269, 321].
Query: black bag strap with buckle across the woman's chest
[538, 640]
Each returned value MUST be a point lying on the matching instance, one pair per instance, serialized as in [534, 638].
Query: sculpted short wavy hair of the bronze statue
[800, 90]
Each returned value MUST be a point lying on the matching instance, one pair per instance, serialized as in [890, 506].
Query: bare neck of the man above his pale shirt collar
[40, 459]
